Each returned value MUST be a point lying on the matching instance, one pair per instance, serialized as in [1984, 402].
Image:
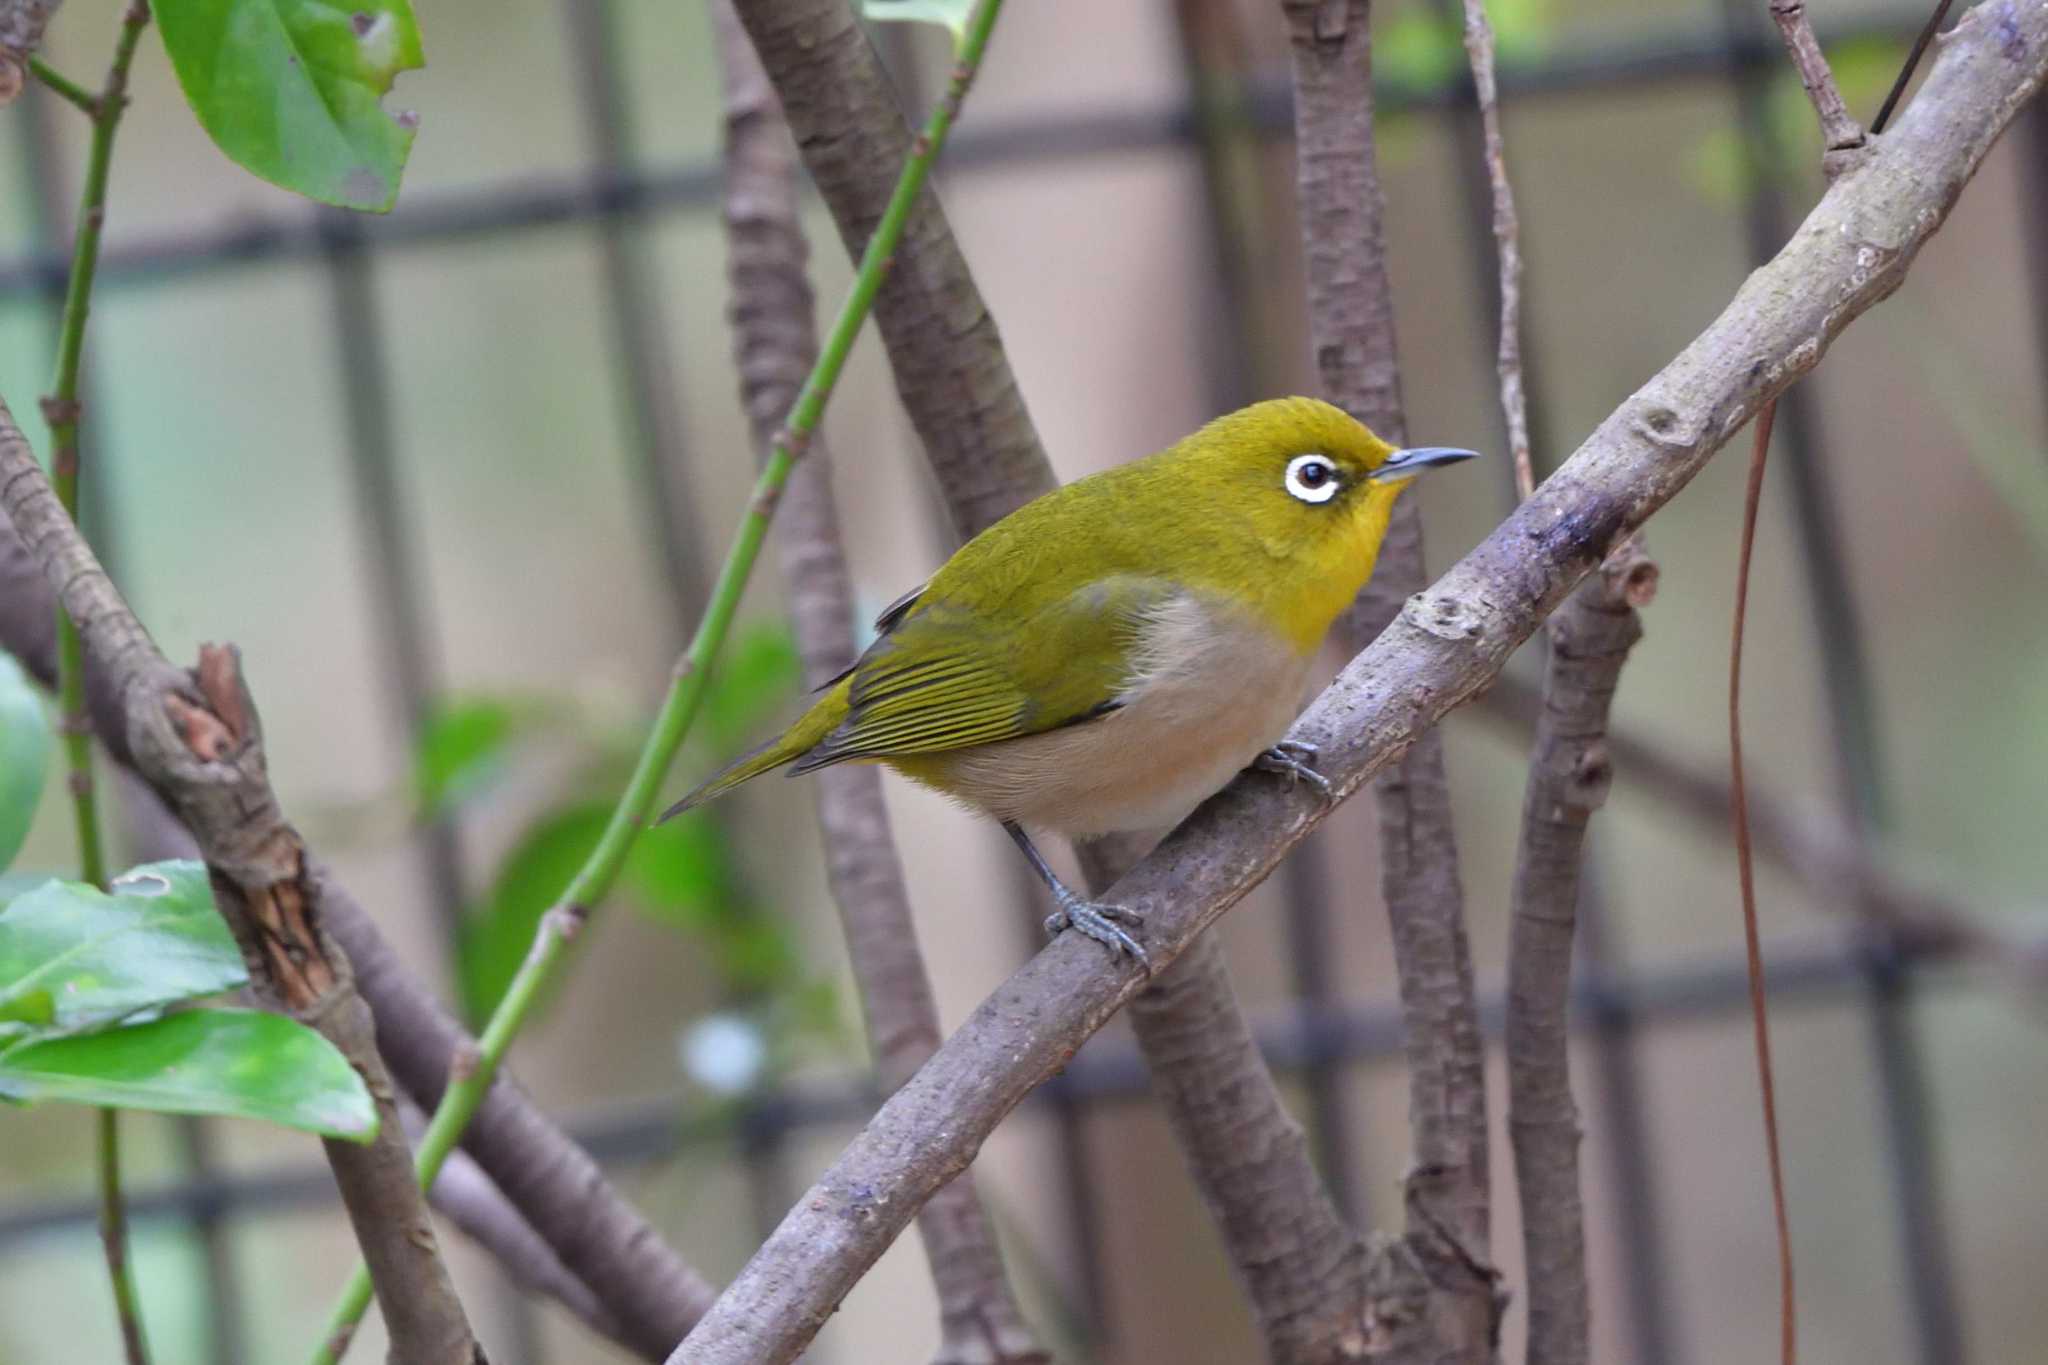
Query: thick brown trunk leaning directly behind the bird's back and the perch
[964, 400]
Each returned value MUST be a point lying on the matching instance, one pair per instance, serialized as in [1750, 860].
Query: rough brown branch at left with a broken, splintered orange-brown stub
[198, 742]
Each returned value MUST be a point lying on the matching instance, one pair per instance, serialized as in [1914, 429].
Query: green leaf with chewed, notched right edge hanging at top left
[292, 89]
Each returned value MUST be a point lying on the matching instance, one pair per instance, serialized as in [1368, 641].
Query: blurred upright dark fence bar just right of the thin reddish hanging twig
[1854, 740]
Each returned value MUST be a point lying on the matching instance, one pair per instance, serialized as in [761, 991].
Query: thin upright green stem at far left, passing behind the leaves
[62, 412]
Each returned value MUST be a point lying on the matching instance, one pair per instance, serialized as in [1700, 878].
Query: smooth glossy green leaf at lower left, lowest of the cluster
[239, 1063]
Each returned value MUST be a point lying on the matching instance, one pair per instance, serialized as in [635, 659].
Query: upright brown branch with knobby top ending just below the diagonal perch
[1570, 777]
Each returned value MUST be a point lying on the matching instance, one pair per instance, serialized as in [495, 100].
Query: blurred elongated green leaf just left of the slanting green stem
[536, 873]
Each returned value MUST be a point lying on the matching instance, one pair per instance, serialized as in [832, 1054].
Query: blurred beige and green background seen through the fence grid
[230, 511]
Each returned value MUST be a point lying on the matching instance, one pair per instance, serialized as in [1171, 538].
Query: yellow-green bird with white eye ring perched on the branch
[1113, 654]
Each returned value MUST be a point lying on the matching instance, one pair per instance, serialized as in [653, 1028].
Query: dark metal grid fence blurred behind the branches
[1316, 1041]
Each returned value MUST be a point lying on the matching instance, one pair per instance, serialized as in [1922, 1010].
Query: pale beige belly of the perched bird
[1175, 742]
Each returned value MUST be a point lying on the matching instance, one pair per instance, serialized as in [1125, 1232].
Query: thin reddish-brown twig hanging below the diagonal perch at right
[1746, 873]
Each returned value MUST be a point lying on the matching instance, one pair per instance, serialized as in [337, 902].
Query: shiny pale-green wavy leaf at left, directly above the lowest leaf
[75, 959]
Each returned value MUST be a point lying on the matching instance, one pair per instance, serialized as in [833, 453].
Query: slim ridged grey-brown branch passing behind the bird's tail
[775, 343]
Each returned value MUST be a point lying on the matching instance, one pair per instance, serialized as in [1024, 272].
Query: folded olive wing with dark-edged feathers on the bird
[951, 676]
